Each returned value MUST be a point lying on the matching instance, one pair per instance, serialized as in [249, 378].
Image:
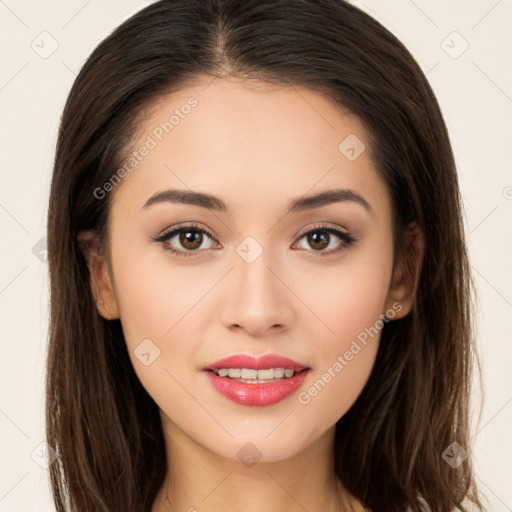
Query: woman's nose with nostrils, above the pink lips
[257, 299]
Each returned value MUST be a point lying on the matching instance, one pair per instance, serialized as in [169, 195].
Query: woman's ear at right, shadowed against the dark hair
[406, 274]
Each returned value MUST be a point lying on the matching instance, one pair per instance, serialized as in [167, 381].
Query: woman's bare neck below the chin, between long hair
[198, 479]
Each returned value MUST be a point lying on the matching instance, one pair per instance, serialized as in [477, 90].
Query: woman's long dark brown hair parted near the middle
[388, 448]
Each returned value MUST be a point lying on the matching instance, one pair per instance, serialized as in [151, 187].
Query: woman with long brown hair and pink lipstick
[260, 293]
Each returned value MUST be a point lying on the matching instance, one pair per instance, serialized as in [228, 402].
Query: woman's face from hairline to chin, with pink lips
[247, 274]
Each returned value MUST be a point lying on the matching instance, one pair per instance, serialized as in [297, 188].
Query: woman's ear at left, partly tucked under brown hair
[100, 280]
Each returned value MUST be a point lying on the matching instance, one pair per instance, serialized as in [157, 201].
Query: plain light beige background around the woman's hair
[474, 88]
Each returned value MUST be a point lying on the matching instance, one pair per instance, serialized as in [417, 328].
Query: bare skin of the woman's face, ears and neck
[256, 147]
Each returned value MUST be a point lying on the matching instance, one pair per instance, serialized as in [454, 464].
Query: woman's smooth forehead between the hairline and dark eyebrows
[251, 138]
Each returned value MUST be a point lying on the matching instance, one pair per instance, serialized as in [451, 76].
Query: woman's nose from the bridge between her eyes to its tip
[257, 298]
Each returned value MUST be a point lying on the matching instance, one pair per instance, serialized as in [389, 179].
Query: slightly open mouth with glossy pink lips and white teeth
[262, 381]
